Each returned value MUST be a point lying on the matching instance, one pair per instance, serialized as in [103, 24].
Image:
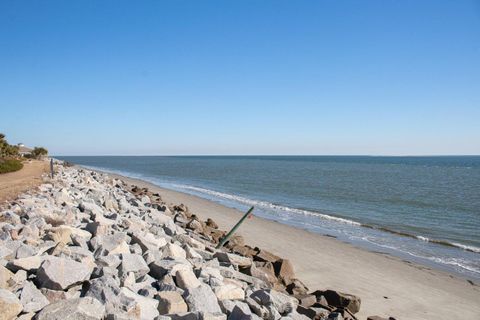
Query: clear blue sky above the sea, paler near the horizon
[241, 77]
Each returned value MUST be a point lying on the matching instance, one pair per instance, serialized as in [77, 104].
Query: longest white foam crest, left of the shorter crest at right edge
[265, 204]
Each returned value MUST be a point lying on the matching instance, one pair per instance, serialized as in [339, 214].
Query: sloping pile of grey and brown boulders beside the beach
[88, 246]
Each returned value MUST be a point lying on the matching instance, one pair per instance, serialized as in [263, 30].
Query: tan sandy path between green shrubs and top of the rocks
[14, 183]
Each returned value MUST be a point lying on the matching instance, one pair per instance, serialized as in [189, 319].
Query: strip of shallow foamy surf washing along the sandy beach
[455, 258]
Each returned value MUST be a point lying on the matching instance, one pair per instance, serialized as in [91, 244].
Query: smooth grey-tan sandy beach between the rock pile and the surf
[388, 286]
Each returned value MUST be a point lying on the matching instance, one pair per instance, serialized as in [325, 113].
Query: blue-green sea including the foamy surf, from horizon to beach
[425, 209]
